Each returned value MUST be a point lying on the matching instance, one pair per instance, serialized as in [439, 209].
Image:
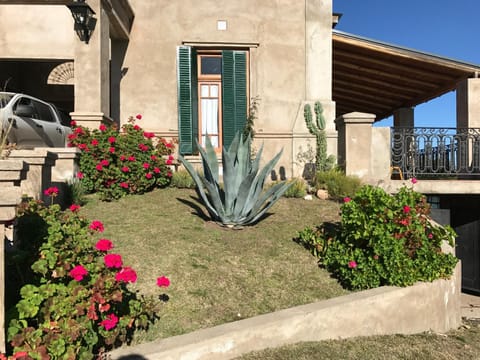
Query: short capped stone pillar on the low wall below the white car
[39, 176]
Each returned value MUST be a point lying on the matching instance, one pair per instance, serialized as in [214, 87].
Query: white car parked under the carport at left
[34, 123]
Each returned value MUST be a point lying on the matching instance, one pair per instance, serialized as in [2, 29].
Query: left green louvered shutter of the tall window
[187, 99]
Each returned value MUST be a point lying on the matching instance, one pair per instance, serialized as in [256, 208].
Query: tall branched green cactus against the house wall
[322, 161]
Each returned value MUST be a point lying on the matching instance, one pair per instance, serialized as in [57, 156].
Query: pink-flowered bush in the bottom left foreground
[79, 304]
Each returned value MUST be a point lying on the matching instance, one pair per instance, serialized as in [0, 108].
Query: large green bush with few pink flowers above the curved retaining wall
[383, 240]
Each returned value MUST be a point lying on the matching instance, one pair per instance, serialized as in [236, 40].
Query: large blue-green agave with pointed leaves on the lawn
[241, 199]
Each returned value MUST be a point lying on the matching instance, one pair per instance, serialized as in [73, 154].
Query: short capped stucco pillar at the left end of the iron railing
[355, 143]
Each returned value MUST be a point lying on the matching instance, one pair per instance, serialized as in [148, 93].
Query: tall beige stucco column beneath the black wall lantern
[92, 73]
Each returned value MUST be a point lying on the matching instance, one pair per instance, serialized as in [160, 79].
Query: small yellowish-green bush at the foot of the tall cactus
[336, 183]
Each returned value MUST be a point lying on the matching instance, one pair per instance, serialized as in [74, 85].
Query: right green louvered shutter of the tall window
[234, 93]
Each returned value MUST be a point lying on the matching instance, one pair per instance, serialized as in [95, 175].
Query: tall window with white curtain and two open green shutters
[212, 86]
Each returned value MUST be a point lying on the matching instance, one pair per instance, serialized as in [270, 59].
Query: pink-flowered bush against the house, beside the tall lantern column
[114, 164]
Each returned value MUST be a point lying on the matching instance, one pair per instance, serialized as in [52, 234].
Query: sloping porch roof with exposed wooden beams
[379, 78]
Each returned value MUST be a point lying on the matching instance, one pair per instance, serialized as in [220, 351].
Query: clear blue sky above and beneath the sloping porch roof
[448, 28]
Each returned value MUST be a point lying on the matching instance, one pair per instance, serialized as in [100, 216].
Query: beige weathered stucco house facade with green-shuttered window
[190, 68]
